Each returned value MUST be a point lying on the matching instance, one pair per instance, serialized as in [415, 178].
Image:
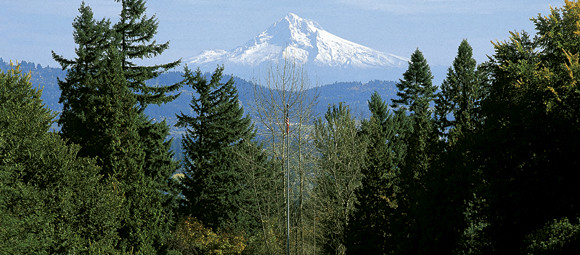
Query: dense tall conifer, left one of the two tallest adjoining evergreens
[97, 104]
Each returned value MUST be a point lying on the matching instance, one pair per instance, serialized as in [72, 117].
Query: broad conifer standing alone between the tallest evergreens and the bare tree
[213, 185]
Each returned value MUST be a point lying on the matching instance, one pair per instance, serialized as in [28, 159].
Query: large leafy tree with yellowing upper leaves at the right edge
[529, 141]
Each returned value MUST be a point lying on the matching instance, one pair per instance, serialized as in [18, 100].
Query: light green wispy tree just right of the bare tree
[342, 152]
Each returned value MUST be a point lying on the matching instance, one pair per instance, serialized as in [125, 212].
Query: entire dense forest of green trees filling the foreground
[484, 163]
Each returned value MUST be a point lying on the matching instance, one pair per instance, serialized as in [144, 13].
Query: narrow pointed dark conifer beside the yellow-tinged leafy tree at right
[449, 184]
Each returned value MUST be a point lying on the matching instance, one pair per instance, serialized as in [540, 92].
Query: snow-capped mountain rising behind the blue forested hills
[326, 57]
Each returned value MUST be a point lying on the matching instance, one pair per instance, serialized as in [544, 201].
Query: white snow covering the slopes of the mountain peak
[303, 41]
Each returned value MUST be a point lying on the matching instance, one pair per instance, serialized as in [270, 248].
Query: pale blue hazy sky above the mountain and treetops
[30, 29]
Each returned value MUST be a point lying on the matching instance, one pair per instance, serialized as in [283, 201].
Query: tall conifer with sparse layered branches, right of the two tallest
[135, 32]
